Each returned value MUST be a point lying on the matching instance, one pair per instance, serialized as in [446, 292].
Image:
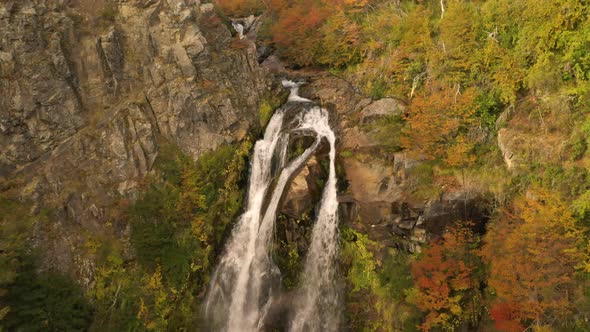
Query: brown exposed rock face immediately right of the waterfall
[377, 200]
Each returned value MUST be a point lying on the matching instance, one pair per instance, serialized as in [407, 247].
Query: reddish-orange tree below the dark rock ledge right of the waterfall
[446, 284]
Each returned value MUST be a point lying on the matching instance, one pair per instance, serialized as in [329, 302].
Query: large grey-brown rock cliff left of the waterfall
[87, 94]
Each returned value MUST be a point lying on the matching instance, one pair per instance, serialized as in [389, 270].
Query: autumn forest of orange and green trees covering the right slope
[461, 66]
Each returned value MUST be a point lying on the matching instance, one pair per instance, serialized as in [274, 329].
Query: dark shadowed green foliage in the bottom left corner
[31, 301]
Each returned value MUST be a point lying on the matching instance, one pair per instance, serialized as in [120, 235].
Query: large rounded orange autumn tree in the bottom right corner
[532, 250]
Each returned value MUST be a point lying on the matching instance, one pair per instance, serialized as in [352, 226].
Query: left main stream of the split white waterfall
[229, 305]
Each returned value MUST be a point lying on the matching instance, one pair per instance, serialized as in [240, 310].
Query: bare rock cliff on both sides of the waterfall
[90, 90]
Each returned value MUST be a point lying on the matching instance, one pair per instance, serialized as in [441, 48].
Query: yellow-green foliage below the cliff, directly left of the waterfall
[177, 225]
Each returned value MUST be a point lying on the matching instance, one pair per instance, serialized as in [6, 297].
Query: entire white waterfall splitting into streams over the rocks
[246, 280]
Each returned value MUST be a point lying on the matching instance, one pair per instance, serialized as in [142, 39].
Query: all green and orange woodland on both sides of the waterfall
[461, 67]
